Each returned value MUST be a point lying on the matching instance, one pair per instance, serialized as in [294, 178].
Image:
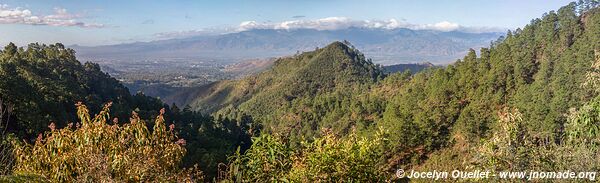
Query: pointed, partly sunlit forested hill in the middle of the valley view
[281, 92]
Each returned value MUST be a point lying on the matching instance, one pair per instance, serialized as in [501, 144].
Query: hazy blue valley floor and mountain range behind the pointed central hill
[199, 60]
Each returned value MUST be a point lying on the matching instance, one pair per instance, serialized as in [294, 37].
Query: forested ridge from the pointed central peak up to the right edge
[533, 69]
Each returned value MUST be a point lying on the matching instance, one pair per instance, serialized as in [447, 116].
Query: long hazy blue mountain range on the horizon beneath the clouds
[383, 45]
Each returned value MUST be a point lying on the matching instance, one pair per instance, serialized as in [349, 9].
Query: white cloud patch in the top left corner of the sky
[60, 18]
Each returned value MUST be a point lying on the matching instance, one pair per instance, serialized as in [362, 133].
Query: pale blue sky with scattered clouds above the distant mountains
[106, 22]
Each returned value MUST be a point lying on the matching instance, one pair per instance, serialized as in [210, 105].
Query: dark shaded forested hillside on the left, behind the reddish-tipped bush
[40, 85]
